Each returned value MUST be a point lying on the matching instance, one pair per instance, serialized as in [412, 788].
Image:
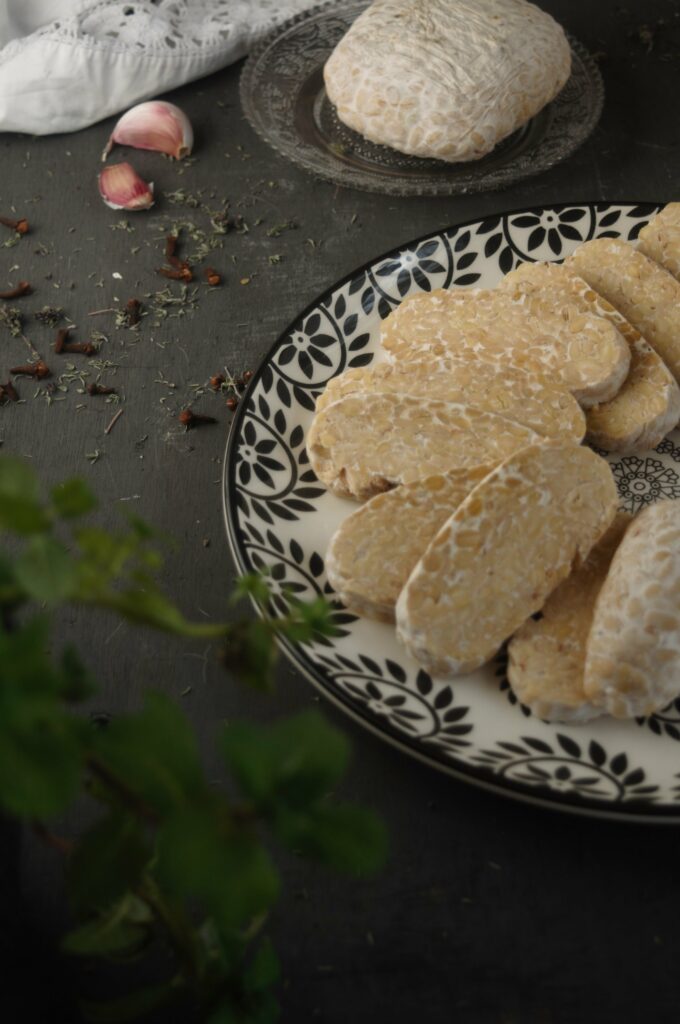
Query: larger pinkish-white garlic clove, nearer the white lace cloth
[156, 125]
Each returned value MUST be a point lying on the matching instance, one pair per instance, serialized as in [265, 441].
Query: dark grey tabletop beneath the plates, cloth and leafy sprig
[490, 912]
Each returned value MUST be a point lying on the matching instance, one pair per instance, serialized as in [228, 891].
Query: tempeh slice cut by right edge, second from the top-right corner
[647, 294]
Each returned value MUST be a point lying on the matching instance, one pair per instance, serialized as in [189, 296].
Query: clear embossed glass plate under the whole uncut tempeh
[283, 97]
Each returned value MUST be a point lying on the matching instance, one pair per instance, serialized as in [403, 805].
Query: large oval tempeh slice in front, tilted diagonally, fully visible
[503, 551]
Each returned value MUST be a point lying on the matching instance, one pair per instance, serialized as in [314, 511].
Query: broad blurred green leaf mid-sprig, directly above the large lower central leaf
[154, 754]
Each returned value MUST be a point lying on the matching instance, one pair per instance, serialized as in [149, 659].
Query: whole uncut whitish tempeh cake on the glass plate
[446, 78]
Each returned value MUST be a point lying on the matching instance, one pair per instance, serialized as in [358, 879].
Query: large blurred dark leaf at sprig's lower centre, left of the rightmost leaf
[201, 855]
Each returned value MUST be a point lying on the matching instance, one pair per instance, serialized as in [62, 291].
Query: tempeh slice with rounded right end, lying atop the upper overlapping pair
[581, 353]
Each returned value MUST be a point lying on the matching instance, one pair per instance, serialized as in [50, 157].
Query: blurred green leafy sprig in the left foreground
[171, 858]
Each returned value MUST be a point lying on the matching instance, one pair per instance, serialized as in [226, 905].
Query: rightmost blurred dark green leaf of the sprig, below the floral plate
[347, 838]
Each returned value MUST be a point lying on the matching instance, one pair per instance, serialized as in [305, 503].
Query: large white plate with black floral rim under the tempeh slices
[280, 518]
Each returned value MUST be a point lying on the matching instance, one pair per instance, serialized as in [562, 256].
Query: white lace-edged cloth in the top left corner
[67, 64]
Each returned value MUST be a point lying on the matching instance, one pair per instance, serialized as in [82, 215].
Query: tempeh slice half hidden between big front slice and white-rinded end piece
[547, 657]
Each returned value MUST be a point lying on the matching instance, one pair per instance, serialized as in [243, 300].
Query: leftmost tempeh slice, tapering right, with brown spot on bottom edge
[365, 444]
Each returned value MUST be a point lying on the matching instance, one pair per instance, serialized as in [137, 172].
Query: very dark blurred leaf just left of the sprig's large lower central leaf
[107, 863]
